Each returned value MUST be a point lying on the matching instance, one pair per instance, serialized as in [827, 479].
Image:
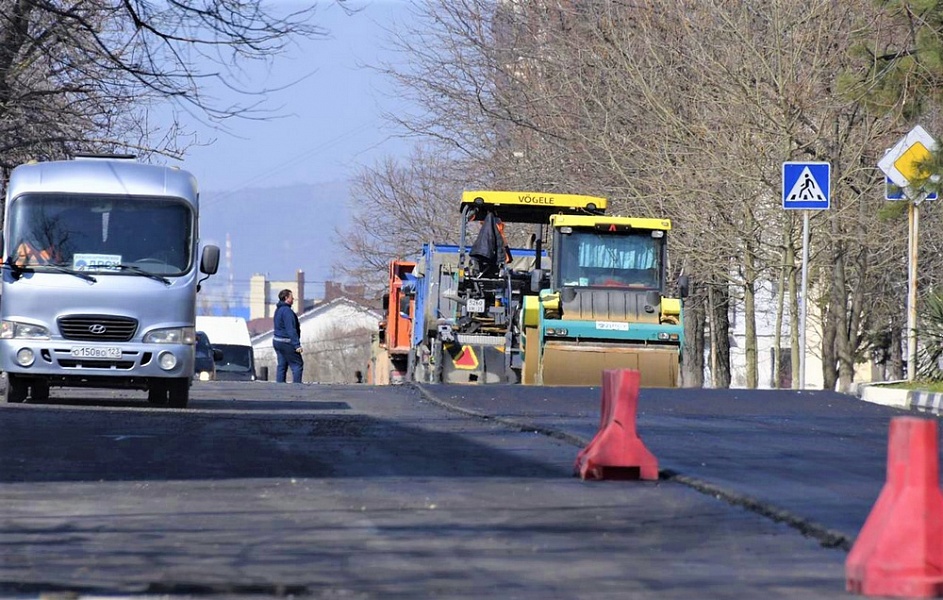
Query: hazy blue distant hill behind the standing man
[275, 231]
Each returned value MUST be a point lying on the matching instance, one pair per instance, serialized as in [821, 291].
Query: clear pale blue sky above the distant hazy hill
[332, 119]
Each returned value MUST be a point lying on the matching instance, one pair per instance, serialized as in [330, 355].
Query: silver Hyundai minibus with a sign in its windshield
[101, 268]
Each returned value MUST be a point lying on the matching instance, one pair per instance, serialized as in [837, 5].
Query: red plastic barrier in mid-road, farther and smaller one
[616, 451]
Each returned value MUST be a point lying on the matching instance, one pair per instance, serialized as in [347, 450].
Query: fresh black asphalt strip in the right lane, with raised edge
[814, 457]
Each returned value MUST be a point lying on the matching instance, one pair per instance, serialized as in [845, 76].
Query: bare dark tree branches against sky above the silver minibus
[83, 74]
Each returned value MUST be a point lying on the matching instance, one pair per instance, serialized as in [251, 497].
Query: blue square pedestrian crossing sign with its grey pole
[806, 186]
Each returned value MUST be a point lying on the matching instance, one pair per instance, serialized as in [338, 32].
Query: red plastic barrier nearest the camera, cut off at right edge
[899, 551]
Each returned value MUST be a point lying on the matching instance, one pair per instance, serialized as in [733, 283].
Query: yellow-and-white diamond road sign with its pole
[901, 165]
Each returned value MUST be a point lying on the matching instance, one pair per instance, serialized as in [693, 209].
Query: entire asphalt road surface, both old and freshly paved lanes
[265, 490]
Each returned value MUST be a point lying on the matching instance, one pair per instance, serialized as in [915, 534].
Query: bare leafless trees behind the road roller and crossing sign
[686, 109]
